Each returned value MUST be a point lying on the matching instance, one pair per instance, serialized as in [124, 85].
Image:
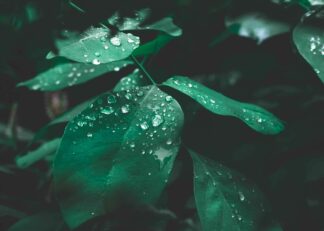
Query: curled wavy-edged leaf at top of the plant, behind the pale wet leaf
[138, 23]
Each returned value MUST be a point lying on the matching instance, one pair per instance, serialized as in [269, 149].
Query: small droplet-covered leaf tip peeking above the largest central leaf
[133, 80]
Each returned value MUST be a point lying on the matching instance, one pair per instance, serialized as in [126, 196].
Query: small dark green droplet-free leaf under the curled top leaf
[154, 46]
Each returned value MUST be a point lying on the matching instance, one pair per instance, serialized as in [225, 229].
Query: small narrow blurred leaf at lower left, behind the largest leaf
[45, 150]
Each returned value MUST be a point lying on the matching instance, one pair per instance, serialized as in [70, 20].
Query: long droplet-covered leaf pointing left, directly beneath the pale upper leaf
[68, 74]
